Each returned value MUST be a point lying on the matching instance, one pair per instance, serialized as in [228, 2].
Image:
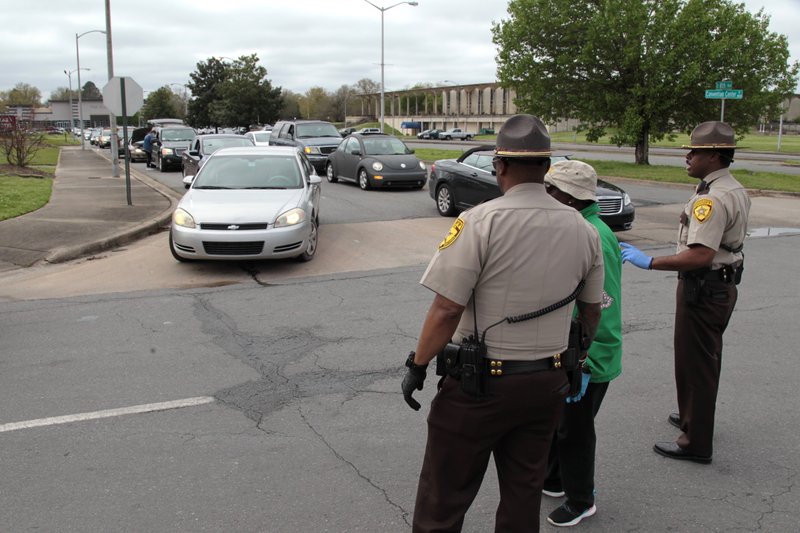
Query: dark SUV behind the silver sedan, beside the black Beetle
[316, 139]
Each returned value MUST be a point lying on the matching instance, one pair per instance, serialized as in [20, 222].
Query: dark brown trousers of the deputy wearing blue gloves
[698, 360]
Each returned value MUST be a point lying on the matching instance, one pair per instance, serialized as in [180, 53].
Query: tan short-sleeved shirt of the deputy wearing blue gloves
[715, 217]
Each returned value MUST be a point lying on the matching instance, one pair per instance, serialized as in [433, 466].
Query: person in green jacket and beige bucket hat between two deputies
[571, 462]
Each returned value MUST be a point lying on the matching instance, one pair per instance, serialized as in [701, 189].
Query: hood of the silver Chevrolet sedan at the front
[239, 206]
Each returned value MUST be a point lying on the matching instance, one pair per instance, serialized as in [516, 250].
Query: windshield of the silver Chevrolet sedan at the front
[250, 172]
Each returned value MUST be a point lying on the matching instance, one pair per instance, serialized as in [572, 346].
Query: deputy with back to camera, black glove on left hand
[512, 255]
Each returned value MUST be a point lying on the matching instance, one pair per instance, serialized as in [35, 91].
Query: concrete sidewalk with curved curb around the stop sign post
[88, 212]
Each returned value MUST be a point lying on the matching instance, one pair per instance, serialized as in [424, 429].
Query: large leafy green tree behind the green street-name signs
[641, 66]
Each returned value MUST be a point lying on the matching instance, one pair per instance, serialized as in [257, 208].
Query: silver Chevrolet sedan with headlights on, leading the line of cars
[249, 203]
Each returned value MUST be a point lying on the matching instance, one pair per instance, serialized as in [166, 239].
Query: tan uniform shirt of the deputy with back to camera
[520, 252]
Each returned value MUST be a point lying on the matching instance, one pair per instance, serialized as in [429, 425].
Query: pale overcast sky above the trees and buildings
[302, 43]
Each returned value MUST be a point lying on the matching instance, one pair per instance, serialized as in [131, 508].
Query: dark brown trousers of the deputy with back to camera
[515, 423]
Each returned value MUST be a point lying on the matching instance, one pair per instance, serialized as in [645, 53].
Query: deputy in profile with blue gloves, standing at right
[709, 263]
